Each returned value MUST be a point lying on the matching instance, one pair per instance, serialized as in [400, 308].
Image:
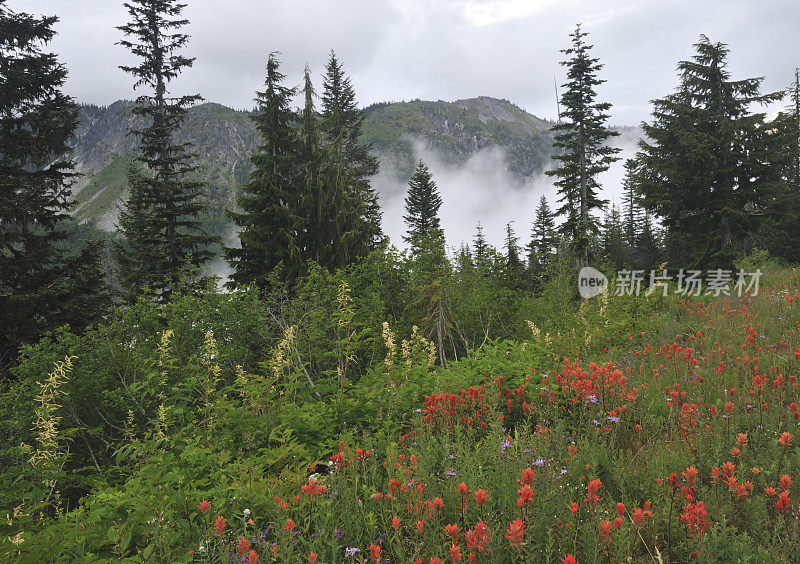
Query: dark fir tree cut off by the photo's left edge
[42, 283]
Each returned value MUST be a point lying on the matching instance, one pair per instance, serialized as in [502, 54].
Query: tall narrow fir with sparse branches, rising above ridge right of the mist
[582, 139]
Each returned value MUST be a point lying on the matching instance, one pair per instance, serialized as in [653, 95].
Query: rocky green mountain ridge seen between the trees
[224, 138]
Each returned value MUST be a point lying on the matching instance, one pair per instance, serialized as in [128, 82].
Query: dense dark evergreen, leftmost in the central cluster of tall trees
[264, 213]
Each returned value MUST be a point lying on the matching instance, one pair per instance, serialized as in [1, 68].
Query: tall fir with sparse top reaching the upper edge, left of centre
[165, 196]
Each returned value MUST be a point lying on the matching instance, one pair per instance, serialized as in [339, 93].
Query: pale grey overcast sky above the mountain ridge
[435, 49]
